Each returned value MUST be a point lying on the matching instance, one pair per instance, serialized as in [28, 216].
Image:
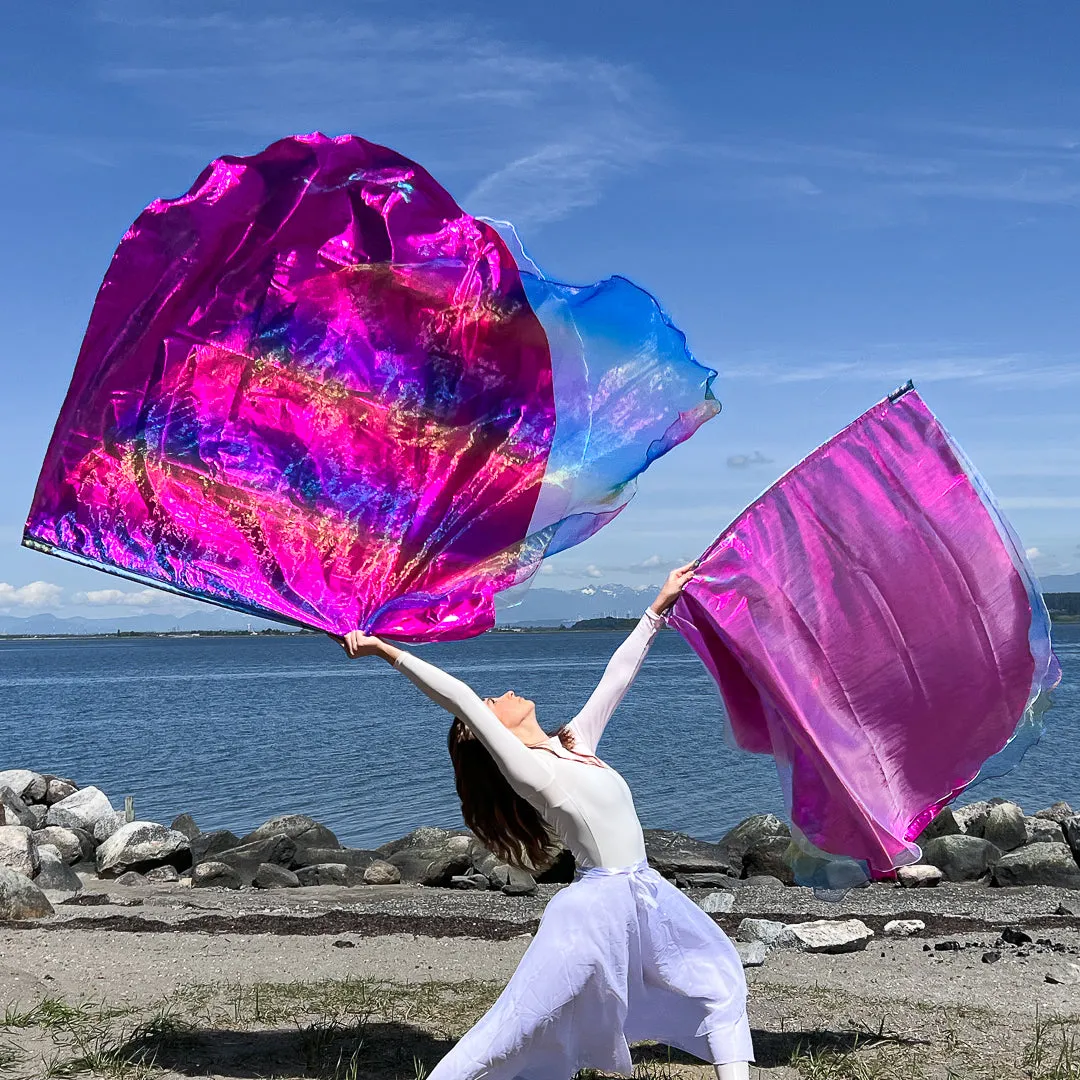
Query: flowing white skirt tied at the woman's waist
[622, 956]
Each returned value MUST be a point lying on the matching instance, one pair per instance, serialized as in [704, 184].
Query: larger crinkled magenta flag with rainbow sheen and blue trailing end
[315, 389]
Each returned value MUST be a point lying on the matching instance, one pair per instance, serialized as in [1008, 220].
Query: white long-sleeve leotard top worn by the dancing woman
[589, 808]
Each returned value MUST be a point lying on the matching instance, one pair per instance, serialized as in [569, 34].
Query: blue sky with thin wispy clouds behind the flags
[829, 199]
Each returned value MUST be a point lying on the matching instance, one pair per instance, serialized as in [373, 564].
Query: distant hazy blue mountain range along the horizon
[539, 607]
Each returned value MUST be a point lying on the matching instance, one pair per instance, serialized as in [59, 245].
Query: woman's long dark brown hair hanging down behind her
[503, 821]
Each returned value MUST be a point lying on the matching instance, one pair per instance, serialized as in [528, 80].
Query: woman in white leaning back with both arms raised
[622, 955]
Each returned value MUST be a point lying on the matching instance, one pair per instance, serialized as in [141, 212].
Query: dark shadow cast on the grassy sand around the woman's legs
[401, 1050]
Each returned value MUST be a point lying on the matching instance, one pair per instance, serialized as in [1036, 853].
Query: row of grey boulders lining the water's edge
[57, 839]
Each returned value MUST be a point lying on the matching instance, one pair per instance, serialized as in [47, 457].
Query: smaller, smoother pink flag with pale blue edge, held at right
[873, 625]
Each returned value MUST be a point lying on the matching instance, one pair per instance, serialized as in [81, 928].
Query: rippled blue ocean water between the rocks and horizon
[238, 730]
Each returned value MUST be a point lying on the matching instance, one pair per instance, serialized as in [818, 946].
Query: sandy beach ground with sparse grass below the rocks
[342, 984]
